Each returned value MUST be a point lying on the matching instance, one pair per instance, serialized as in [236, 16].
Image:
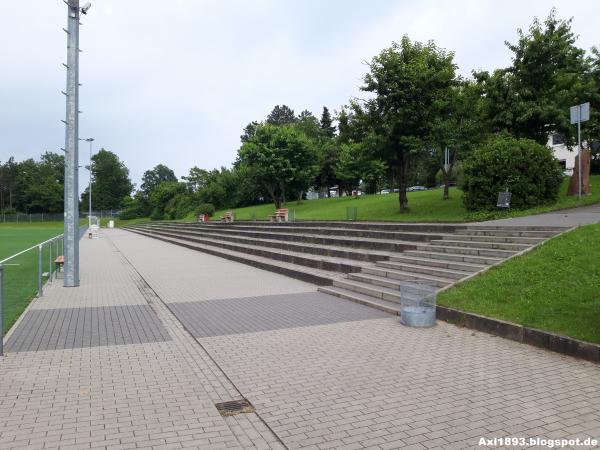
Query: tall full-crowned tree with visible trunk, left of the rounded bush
[408, 79]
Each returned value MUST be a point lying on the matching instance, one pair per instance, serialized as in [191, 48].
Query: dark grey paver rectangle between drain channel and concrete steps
[273, 312]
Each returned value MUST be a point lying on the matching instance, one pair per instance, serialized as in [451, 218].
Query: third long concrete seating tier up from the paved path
[316, 249]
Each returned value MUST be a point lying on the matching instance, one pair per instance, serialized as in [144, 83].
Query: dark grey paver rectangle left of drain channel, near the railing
[57, 329]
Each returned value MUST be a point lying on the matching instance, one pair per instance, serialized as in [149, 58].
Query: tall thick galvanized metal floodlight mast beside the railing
[71, 246]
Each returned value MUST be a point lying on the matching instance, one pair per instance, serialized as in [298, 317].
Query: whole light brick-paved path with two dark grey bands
[157, 334]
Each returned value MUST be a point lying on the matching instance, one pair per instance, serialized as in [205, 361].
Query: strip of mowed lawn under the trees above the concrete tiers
[424, 206]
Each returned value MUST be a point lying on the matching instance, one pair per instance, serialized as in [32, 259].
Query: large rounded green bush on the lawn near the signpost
[528, 169]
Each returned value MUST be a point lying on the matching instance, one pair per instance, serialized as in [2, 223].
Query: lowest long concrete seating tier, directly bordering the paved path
[308, 274]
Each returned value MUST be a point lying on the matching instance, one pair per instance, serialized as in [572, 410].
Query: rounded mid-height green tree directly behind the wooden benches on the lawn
[280, 158]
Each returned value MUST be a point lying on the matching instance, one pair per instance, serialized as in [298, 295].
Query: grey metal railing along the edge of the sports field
[18, 278]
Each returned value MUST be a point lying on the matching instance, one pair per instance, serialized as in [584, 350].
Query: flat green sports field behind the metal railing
[20, 274]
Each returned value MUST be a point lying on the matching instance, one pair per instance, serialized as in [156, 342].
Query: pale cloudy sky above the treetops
[176, 81]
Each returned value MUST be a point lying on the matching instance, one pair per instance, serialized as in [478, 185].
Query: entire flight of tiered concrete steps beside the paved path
[359, 261]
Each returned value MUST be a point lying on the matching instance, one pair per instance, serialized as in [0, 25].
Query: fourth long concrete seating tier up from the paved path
[340, 241]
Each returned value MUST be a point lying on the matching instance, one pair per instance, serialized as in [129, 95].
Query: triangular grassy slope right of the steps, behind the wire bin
[556, 287]
